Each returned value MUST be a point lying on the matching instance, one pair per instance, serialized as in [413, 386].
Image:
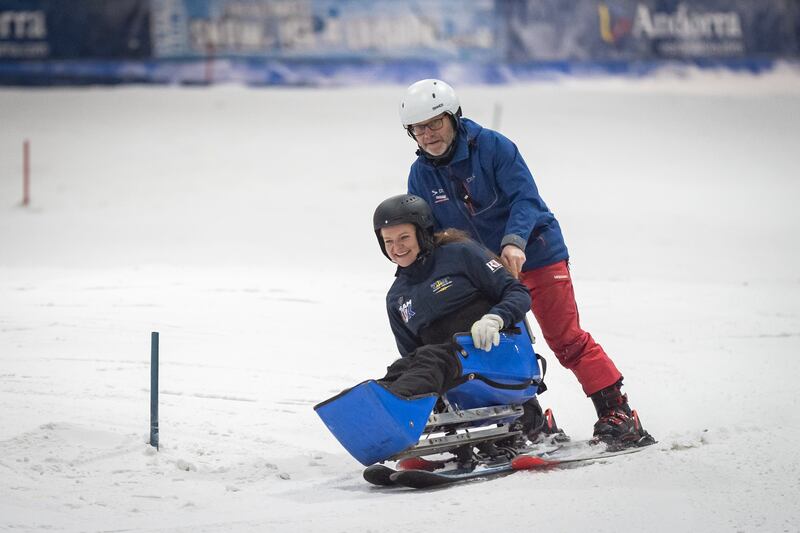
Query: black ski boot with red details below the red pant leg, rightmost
[618, 425]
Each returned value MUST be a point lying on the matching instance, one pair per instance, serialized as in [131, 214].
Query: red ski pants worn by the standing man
[553, 305]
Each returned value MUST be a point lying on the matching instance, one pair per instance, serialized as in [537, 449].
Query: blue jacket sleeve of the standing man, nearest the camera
[516, 182]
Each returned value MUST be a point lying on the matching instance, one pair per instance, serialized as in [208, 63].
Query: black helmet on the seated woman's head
[405, 209]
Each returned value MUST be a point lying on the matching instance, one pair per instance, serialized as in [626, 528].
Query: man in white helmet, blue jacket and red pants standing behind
[476, 180]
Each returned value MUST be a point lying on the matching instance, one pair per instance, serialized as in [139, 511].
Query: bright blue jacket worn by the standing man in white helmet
[487, 190]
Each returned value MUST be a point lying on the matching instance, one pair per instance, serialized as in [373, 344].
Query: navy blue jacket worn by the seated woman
[448, 290]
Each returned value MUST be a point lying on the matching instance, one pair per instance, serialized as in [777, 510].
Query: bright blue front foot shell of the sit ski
[373, 423]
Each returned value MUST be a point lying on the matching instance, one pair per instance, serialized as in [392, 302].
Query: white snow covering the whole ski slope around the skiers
[236, 222]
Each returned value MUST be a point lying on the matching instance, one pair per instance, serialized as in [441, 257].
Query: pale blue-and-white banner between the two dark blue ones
[333, 29]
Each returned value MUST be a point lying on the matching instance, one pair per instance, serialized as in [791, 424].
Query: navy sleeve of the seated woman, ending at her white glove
[485, 271]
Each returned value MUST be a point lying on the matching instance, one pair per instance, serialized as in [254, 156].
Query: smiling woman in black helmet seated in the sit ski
[444, 284]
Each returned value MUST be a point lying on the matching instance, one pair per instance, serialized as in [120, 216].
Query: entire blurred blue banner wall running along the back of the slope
[316, 42]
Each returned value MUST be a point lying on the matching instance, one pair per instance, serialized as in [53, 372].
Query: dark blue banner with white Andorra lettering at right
[570, 30]
